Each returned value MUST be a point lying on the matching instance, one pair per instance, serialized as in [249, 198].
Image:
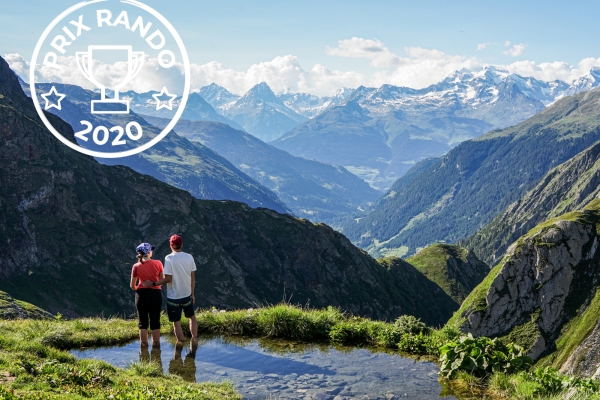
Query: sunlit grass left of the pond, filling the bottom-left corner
[35, 364]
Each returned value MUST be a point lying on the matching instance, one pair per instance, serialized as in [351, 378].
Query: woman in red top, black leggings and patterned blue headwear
[148, 298]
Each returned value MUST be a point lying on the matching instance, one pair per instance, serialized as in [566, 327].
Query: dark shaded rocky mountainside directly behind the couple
[69, 227]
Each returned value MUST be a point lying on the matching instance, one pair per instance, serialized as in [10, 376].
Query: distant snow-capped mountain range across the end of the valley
[379, 133]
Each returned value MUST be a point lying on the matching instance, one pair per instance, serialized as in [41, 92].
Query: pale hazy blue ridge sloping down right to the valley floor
[313, 190]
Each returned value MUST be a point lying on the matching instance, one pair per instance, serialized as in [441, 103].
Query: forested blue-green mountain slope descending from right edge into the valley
[468, 187]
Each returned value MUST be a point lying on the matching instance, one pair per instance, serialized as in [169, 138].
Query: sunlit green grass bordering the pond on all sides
[34, 362]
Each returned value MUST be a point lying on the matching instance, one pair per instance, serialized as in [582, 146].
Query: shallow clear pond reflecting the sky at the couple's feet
[274, 369]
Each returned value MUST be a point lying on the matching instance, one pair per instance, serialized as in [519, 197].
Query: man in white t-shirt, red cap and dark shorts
[180, 280]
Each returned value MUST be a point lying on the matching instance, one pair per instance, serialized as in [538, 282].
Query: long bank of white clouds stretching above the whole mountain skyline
[417, 68]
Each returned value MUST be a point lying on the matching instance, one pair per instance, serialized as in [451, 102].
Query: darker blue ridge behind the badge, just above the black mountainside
[174, 160]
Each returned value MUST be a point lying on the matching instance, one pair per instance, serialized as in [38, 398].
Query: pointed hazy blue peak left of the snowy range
[263, 114]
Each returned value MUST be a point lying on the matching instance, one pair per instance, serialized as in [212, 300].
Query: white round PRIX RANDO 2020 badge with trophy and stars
[84, 59]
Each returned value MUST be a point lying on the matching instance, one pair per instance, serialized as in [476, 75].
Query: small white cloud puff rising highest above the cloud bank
[371, 49]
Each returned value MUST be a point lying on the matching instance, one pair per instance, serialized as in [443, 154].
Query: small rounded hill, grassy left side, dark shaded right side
[455, 269]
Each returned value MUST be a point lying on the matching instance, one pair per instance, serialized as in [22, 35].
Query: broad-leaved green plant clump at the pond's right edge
[481, 357]
